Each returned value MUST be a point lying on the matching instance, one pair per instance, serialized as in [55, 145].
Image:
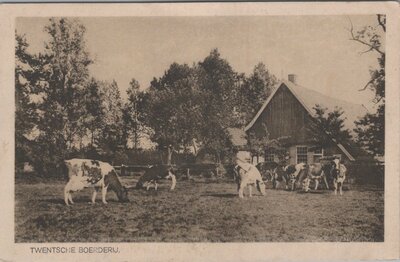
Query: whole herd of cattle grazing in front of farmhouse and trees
[84, 173]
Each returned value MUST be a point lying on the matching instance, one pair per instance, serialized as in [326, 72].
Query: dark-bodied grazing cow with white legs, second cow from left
[154, 174]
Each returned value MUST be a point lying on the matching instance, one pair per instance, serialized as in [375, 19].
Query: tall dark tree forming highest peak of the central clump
[219, 88]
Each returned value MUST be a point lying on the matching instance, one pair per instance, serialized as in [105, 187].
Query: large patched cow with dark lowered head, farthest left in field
[84, 173]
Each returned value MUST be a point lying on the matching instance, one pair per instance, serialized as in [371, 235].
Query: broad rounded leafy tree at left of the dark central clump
[172, 109]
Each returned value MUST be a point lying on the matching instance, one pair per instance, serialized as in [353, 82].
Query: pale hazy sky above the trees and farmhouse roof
[315, 48]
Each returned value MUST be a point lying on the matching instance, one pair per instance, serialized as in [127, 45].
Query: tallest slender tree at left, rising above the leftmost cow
[64, 75]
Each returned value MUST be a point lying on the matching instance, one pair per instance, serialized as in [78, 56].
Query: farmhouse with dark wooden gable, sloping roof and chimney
[288, 116]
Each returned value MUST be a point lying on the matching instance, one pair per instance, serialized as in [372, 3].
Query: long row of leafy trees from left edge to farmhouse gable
[62, 110]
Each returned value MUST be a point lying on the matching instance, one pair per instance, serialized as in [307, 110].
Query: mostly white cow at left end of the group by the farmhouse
[247, 174]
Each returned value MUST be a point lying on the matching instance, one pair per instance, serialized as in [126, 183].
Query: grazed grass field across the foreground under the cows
[201, 211]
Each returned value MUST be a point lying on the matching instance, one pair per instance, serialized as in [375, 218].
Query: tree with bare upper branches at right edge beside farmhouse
[370, 129]
